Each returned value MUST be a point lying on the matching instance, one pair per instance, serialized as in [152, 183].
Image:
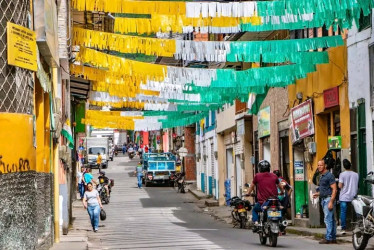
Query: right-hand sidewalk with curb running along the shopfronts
[223, 213]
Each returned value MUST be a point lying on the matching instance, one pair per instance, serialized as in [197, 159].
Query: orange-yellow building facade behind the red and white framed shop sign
[327, 76]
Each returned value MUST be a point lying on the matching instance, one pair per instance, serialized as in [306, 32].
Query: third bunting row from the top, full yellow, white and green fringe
[239, 51]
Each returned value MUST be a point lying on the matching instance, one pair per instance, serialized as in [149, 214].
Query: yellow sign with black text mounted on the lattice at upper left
[21, 47]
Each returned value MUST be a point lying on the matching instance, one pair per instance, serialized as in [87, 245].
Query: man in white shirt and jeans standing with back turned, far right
[348, 184]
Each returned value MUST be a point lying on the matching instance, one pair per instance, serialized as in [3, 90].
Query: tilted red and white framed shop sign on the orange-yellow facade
[302, 120]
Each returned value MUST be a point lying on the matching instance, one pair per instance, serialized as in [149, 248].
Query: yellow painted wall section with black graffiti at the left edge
[17, 153]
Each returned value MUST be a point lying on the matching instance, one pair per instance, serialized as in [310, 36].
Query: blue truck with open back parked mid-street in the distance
[158, 168]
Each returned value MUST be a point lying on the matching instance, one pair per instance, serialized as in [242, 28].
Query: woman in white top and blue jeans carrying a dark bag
[92, 203]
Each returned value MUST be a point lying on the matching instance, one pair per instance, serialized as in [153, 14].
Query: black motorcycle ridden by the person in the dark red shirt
[271, 223]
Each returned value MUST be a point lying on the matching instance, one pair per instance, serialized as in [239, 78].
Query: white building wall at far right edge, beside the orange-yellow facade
[359, 79]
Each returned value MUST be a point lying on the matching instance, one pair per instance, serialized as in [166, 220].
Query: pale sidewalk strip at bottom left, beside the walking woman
[77, 237]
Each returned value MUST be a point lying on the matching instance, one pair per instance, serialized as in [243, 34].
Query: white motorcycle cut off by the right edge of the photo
[364, 225]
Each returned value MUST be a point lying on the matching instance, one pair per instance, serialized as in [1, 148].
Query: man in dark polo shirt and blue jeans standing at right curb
[327, 194]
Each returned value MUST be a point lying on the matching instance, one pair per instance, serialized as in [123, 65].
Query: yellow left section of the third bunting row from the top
[123, 43]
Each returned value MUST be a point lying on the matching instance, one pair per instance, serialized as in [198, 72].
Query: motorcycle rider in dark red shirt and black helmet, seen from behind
[266, 184]
